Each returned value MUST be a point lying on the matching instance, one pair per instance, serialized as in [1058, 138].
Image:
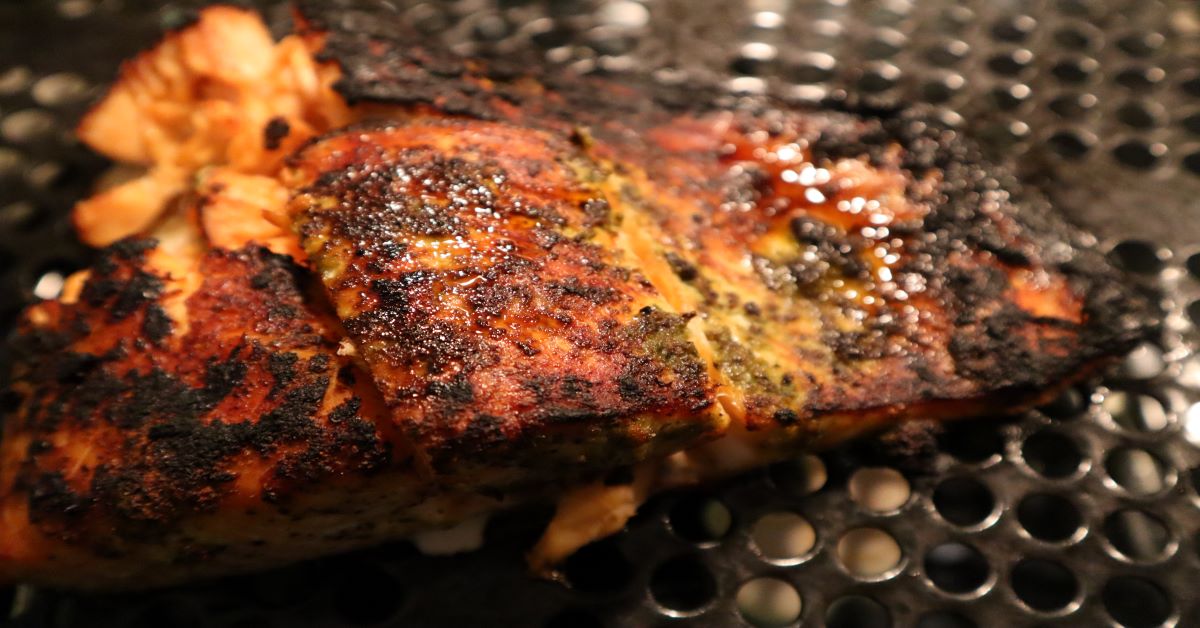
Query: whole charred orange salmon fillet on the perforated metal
[361, 289]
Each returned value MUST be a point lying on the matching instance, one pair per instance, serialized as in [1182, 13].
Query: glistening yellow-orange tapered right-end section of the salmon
[869, 266]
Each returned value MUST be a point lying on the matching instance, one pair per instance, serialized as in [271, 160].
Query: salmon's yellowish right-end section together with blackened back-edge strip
[839, 266]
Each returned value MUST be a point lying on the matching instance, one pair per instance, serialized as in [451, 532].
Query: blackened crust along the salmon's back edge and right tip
[974, 206]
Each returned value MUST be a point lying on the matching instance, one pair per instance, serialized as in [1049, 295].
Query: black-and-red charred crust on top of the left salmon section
[188, 408]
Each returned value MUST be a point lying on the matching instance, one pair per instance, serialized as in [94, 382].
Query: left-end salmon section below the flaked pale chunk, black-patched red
[170, 414]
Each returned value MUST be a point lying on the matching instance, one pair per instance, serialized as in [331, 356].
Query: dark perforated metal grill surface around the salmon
[1085, 513]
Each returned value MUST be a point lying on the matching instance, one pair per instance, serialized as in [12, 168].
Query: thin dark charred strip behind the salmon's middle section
[386, 61]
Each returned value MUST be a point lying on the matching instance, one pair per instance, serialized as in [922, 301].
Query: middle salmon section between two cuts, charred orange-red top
[477, 268]
